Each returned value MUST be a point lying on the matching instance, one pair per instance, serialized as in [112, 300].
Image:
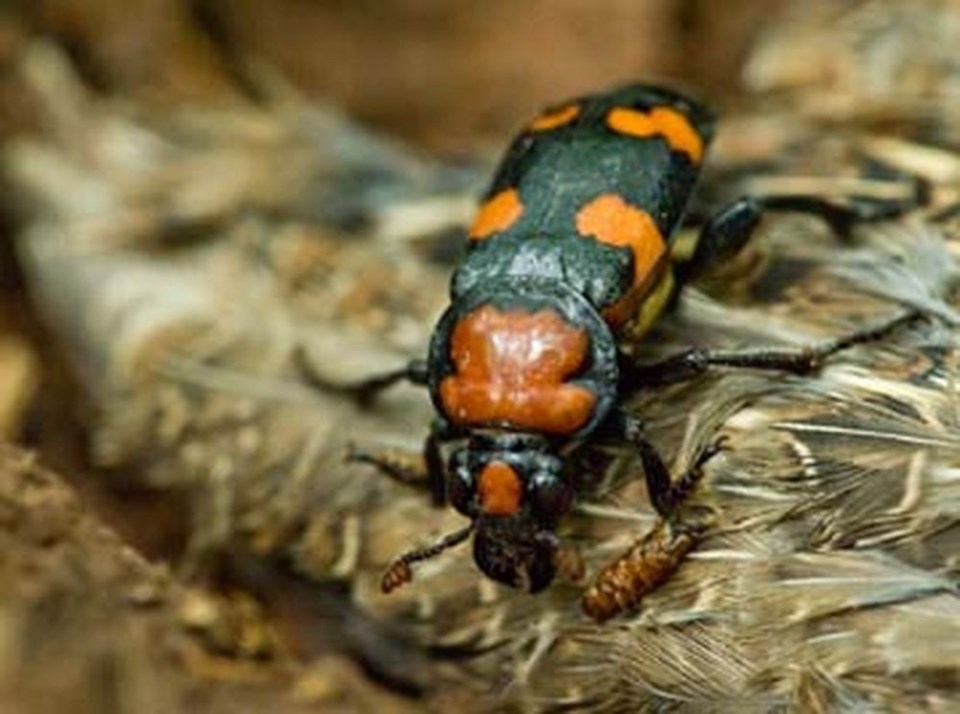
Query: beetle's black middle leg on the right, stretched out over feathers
[694, 362]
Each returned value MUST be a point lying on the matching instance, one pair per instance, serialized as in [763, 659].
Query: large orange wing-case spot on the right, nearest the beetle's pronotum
[613, 221]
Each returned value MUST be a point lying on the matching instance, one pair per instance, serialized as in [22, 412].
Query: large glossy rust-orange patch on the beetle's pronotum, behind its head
[511, 369]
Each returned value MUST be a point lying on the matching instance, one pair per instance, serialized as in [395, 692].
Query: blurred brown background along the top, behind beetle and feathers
[444, 75]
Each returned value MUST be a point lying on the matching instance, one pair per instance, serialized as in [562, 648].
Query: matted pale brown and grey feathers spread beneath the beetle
[828, 577]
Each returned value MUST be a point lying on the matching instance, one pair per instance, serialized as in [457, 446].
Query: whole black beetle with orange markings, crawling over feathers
[568, 265]
